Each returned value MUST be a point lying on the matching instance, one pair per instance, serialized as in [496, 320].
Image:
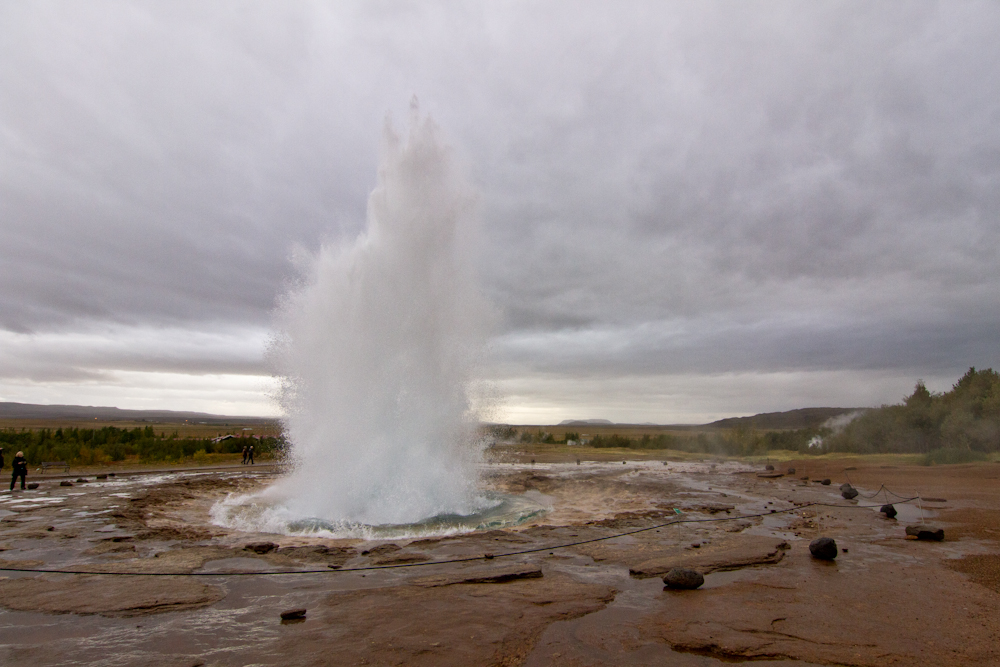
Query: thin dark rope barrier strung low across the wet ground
[466, 559]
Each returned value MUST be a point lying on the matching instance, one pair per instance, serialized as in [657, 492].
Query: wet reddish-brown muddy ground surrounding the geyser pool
[885, 600]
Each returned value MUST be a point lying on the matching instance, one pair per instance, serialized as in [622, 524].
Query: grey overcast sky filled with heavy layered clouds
[690, 210]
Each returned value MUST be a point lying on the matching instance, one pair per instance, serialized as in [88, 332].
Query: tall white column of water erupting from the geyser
[377, 347]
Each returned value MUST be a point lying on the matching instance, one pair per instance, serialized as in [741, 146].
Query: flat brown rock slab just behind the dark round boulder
[742, 551]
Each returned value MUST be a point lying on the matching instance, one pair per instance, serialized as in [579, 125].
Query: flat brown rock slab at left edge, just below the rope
[107, 596]
